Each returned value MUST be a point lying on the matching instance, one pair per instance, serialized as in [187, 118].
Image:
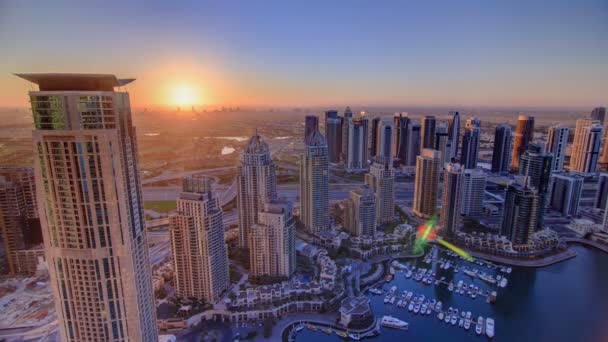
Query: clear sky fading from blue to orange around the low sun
[453, 52]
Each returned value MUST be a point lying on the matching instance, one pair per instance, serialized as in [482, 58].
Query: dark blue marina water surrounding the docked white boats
[567, 301]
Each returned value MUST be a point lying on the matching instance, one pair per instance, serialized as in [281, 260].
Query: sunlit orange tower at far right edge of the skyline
[586, 145]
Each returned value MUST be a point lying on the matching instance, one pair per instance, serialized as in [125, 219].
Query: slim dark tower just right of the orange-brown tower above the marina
[451, 199]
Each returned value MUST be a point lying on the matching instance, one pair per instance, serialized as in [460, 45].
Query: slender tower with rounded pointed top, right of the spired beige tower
[314, 184]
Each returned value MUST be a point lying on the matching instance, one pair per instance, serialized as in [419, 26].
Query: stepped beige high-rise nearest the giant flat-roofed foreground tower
[200, 260]
